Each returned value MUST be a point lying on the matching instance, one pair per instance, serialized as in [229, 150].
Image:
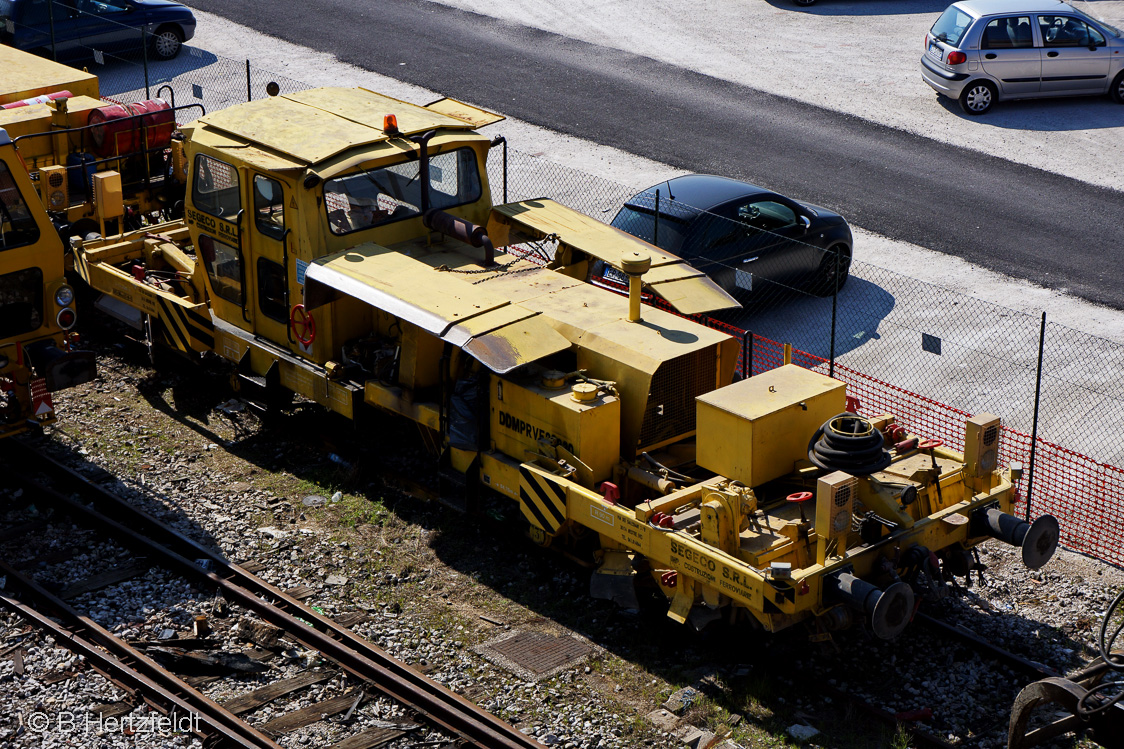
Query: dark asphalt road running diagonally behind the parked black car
[1016, 220]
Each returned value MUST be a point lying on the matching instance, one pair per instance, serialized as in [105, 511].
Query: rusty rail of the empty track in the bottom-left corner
[141, 676]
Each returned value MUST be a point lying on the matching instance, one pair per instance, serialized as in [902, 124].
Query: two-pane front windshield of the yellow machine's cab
[391, 194]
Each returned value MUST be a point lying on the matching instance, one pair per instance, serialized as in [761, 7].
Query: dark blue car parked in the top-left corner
[85, 26]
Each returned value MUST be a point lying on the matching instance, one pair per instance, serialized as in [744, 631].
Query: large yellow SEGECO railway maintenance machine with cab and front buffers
[345, 246]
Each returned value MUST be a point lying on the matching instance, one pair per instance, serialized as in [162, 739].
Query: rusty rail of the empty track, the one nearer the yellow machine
[427, 698]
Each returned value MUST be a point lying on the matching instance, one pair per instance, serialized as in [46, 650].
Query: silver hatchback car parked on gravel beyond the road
[981, 52]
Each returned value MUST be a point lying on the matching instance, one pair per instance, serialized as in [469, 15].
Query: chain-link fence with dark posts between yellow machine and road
[890, 337]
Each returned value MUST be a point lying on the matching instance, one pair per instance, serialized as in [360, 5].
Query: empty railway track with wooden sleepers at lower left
[170, 674]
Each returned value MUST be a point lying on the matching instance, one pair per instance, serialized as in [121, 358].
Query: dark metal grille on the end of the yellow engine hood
[672, 408]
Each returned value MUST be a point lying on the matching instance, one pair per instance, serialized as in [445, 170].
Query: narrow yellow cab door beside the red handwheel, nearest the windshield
[269, 239]
